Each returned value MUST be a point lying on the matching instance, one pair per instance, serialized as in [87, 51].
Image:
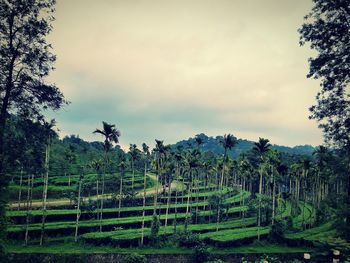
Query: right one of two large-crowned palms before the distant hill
[261, 148]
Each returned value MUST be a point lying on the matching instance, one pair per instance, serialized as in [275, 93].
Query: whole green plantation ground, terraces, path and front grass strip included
[184, 217]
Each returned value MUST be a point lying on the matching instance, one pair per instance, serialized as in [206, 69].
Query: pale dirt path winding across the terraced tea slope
[66, 201]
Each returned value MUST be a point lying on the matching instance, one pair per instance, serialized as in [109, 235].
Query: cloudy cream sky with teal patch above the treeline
[161, 69]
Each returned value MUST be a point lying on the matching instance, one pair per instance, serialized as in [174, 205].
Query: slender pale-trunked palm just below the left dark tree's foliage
[48, 134]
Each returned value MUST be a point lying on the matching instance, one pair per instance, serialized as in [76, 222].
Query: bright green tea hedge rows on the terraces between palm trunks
[122, 227]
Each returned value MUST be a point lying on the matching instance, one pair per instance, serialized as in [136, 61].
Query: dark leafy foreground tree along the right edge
[327, 29]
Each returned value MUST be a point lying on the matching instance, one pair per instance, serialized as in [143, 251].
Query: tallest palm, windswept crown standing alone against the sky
[111, 135]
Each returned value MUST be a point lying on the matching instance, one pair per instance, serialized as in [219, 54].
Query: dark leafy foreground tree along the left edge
[25, 61]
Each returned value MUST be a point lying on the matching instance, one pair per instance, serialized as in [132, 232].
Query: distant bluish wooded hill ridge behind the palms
[213, 144]
